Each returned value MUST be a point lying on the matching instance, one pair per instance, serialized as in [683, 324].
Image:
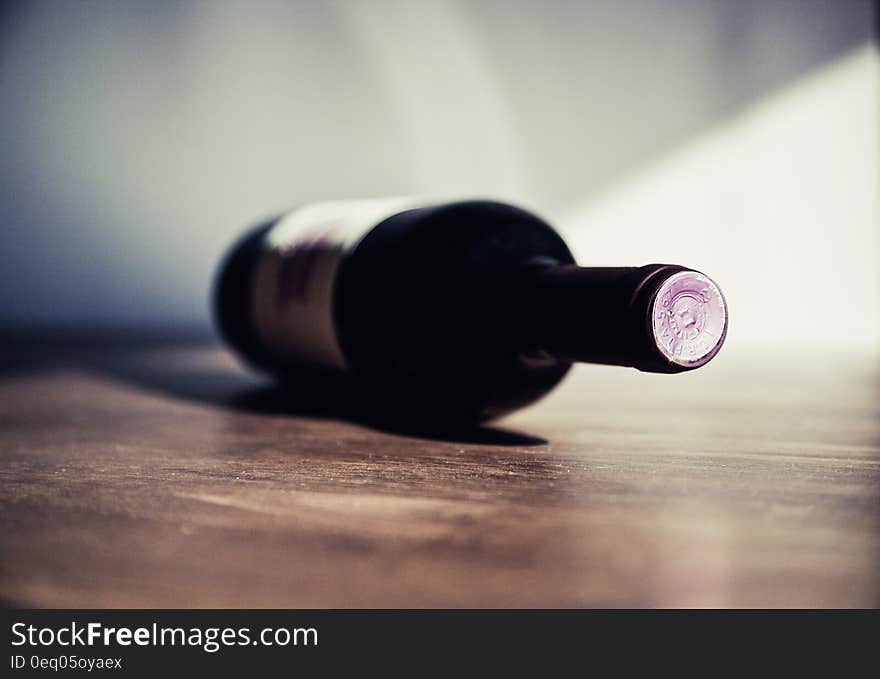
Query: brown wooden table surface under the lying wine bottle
[141, 475]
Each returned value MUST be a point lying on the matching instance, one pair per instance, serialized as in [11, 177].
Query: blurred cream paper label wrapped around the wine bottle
[295, 276]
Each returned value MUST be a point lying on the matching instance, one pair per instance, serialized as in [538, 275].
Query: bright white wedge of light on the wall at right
[779, 205]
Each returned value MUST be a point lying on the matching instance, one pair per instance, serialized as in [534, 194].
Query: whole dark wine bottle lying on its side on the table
[465, 309]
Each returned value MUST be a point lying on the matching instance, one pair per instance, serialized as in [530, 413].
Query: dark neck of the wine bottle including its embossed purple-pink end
[612, 315]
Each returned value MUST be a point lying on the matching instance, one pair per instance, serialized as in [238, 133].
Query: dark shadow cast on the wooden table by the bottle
[187, 367]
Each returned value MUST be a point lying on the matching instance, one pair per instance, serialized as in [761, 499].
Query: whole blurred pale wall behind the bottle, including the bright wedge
[737, 137]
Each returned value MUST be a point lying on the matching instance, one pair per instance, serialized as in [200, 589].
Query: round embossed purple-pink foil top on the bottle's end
[689, 319]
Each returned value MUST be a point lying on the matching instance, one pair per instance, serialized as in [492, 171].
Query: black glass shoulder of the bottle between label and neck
[428, 298]
